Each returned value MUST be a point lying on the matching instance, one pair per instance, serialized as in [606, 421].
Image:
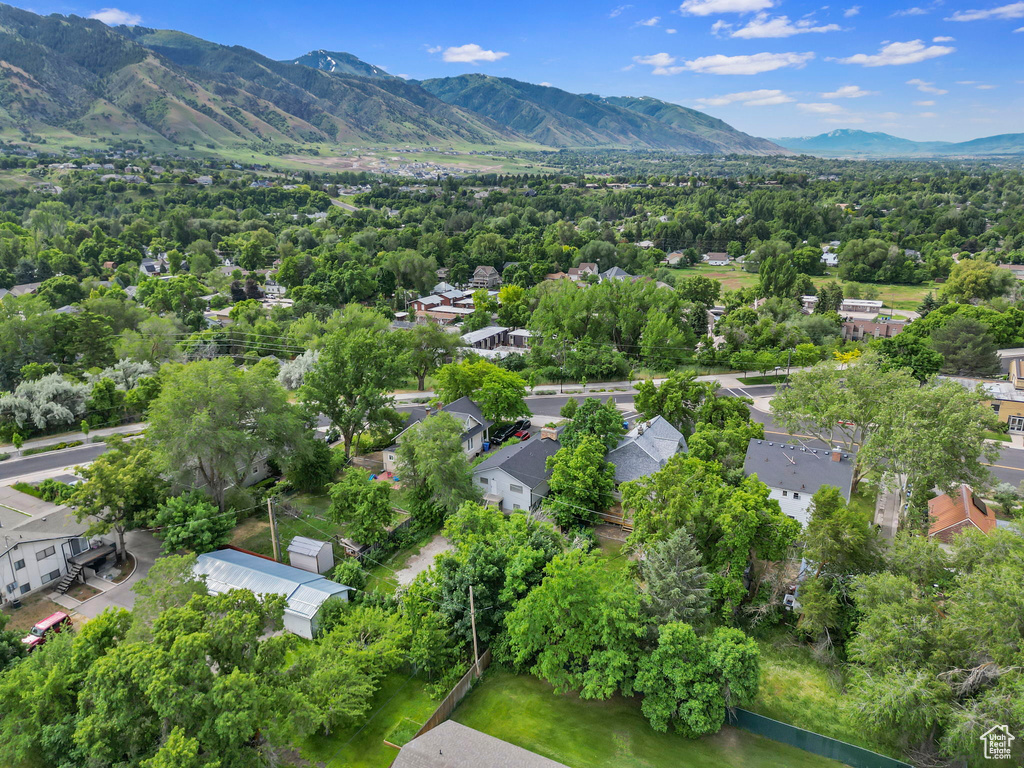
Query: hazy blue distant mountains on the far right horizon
[849, 144]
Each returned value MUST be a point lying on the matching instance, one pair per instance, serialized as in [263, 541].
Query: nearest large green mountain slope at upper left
[78, 77]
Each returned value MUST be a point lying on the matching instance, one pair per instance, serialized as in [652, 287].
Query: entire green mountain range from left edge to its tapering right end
[69, 78]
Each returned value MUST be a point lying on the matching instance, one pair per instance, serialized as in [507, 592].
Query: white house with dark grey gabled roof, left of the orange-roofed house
[795, 474]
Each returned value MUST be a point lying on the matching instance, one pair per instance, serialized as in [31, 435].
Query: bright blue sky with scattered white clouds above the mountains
[940, 70]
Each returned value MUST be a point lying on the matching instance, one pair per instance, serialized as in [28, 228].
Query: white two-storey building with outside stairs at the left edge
[40, 543]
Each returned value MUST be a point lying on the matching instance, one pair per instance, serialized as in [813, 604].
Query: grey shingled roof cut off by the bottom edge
[453, 745]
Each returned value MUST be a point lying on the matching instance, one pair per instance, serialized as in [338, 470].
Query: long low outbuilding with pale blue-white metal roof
[307, 593]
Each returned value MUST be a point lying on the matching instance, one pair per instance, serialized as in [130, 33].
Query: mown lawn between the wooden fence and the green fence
[526, 712]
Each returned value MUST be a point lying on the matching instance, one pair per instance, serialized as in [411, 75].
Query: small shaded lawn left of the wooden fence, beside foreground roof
[402, 700]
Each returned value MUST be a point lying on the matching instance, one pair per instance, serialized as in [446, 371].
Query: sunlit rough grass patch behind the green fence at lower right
[798, 691]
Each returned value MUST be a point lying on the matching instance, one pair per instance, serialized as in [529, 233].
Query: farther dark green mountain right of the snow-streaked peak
[551, 116]
